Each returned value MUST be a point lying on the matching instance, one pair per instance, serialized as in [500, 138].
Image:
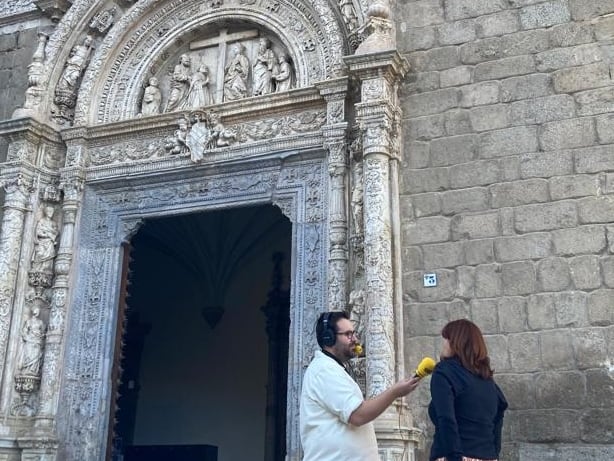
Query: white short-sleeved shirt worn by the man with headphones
[328, 397]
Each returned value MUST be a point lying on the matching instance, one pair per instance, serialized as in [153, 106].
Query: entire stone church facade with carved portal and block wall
[437, 159]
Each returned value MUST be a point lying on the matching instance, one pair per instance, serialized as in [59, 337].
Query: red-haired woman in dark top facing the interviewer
[466, 405]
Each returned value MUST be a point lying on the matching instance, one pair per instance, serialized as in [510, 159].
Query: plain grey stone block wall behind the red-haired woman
[507, 195]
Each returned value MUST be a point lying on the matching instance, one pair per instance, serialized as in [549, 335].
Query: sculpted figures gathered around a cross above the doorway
[224, 72]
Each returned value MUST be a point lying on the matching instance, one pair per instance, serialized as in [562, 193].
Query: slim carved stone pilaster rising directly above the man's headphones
[334, 92]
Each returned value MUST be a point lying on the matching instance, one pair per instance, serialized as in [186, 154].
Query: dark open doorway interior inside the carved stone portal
[200, 366]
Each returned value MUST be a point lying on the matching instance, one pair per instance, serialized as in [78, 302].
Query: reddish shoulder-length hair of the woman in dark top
[467, 344]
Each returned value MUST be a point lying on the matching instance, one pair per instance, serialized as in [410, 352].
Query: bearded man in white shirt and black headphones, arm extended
[336, 422]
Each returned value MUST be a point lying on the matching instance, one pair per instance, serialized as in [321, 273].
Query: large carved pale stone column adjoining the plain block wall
[378, 116]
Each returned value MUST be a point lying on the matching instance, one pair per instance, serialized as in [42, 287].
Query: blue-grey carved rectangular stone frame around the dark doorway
[112, 212]
